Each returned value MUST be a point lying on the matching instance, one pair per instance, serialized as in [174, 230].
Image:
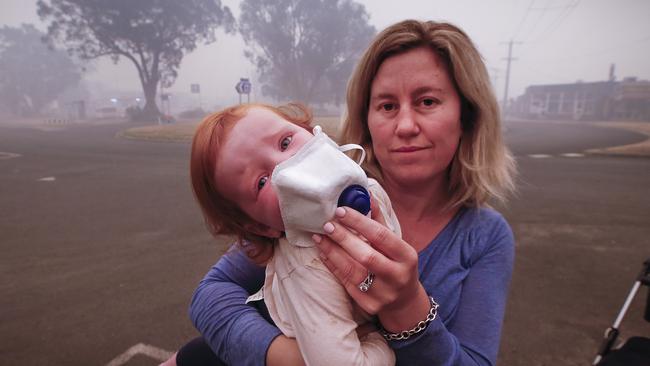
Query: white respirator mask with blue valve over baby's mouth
[311, 184]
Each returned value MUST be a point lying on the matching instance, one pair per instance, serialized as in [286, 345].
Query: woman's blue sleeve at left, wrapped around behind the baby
[235, 331]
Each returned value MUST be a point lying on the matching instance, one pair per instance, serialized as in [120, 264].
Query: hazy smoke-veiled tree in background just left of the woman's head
[304, 49]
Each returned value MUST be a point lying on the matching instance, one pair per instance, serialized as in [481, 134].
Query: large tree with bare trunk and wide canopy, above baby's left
[153, 34]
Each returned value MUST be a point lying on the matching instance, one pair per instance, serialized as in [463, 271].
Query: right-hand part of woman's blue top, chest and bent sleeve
[468, 273]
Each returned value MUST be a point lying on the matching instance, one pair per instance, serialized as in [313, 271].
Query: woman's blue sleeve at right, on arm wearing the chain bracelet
[472, 335]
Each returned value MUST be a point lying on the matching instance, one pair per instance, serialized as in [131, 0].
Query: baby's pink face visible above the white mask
[254, 146]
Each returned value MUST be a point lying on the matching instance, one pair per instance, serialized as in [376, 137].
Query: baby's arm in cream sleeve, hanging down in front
[321, 313]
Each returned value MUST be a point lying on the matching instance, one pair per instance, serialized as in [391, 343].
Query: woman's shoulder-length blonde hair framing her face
[482, 167]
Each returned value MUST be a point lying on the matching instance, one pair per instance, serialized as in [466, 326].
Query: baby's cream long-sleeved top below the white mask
[308, 303]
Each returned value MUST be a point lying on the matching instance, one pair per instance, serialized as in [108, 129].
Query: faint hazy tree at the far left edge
[31, 74]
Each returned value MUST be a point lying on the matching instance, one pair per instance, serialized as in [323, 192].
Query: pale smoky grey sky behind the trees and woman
[561, 41]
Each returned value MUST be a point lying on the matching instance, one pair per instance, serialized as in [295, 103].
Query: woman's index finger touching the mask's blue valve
[381, 238]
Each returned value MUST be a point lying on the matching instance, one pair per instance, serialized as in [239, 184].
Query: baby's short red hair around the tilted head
[223, 216]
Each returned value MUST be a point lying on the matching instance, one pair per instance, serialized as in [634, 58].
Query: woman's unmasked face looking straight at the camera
[414, 118]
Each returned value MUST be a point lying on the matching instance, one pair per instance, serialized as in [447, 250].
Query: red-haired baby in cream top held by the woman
[235, 154]
